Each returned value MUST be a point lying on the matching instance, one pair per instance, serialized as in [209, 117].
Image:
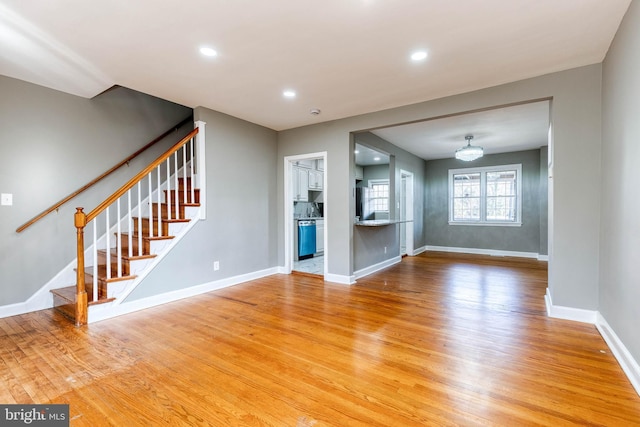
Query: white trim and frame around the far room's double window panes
[483, 196]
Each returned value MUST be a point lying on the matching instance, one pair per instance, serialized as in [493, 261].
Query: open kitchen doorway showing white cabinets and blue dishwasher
[305, 181]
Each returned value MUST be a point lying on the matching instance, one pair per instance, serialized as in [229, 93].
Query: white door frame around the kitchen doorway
[288, 208]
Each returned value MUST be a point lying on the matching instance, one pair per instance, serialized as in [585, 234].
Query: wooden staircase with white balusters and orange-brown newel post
[135, 236]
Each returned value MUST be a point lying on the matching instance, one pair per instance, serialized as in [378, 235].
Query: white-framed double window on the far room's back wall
[485, 196]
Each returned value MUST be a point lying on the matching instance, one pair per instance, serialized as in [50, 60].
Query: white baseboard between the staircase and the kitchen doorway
[108, 311]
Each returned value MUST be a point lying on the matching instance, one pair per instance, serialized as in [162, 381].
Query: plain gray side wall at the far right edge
[620, 230]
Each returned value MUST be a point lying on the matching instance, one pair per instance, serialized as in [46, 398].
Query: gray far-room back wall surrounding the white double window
[518, 239]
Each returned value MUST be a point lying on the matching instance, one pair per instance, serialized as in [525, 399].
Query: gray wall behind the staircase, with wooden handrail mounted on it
[51, 144]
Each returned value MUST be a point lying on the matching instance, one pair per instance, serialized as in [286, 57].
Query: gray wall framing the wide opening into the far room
[574, 225]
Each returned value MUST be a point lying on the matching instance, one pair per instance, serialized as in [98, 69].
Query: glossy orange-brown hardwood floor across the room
[436, 340]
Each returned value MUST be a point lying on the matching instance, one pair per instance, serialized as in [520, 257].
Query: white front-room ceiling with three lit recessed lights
[344, 57]
